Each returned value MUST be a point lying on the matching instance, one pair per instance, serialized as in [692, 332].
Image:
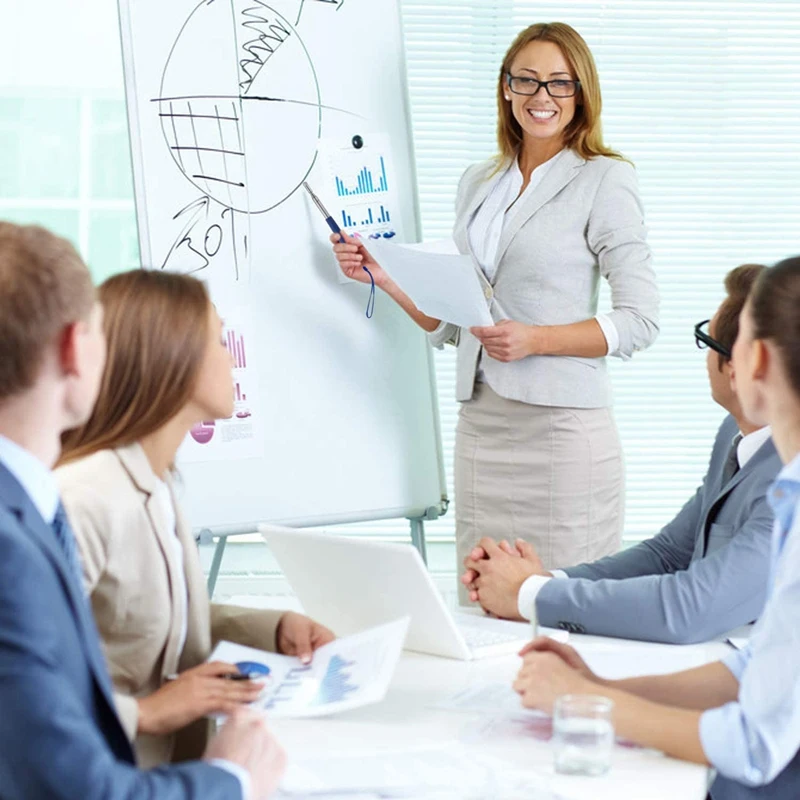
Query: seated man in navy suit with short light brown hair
[60, 738]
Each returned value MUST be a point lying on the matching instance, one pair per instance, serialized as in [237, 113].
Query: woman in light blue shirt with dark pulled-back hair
[740, 715]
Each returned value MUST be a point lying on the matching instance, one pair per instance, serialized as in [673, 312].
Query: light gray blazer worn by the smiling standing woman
[582, 221]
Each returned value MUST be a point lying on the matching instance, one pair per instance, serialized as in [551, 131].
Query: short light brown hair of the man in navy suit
[44, 287]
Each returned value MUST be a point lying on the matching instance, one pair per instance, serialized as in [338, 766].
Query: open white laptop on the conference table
[350, 584]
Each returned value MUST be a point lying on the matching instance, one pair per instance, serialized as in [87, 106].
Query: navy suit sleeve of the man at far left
[51, 746]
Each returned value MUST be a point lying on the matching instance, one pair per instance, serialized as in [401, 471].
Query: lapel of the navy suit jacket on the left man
[14, 497]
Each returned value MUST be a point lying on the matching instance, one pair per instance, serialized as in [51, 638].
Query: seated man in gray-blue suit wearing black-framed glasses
[703, 574]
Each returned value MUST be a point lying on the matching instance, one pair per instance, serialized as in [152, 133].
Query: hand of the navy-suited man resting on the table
[246, 741]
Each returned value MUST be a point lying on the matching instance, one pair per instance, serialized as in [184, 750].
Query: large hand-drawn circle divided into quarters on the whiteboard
[239, 104]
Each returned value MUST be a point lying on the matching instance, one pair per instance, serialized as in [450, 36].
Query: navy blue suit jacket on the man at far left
[59, 734]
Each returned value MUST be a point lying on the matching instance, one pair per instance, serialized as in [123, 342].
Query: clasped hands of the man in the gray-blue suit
[495, 572]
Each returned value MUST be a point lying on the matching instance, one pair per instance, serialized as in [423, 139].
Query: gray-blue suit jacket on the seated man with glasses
[705, 573]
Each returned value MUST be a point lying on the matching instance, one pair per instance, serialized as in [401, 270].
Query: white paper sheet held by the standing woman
[444, 287]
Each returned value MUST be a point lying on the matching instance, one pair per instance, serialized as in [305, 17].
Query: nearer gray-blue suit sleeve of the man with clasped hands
[716, 593]
